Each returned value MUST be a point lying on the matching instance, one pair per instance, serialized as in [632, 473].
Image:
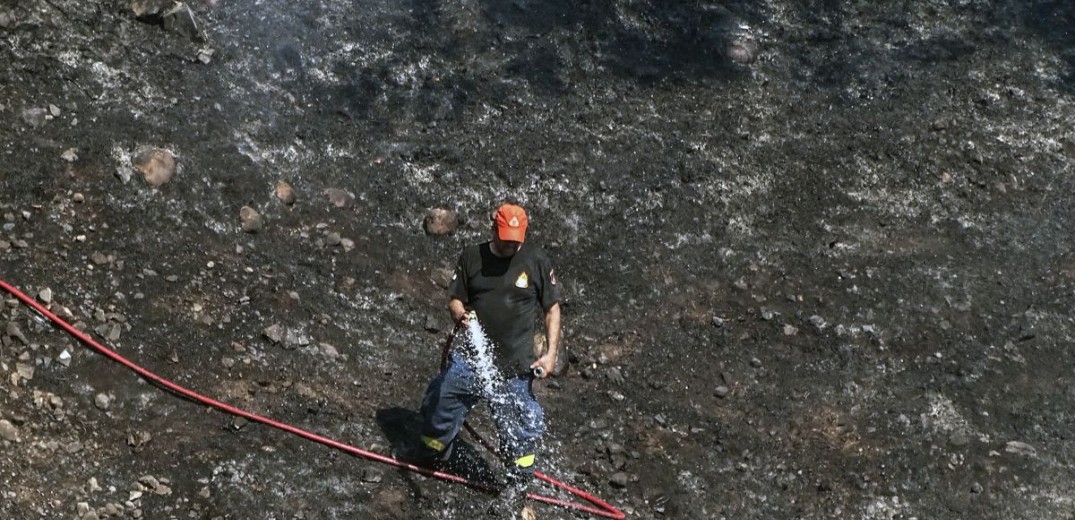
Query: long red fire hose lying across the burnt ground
[601, 510]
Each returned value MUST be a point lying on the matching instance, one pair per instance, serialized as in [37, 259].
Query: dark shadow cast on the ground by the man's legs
[403, 429]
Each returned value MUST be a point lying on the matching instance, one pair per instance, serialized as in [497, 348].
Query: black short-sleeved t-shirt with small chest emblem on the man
[507, 294]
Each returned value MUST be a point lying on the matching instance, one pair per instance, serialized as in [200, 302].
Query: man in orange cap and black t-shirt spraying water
[501, 284]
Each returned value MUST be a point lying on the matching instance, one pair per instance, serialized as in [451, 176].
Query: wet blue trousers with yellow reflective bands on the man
[458, 388]
